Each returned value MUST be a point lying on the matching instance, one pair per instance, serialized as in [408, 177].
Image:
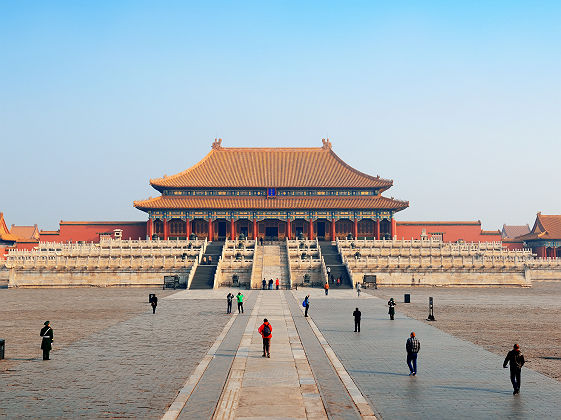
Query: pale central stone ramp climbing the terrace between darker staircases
[271, 262]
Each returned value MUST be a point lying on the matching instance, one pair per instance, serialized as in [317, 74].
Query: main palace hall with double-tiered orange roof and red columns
[271, 193]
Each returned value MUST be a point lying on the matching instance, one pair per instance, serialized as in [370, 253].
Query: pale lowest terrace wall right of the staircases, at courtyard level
[448, 278]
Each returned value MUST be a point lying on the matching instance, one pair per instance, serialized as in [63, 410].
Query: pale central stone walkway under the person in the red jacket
[281, 387]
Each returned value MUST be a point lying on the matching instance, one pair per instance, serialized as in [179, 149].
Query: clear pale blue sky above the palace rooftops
[458, 102]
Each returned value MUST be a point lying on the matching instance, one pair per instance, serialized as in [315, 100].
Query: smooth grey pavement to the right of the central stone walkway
[456, 379]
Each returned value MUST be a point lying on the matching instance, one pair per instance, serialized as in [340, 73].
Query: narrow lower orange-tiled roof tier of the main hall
[277, 203]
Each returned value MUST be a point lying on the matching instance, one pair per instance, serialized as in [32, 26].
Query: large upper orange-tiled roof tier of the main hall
[296, 167]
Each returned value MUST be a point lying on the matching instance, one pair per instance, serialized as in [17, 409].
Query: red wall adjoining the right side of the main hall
[450, 231]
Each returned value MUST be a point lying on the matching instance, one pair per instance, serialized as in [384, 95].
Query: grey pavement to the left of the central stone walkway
[132, 369]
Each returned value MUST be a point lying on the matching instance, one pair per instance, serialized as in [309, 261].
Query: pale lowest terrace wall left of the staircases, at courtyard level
[90, 278]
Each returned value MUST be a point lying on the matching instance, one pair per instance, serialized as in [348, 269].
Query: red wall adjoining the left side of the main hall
[89, 231]
